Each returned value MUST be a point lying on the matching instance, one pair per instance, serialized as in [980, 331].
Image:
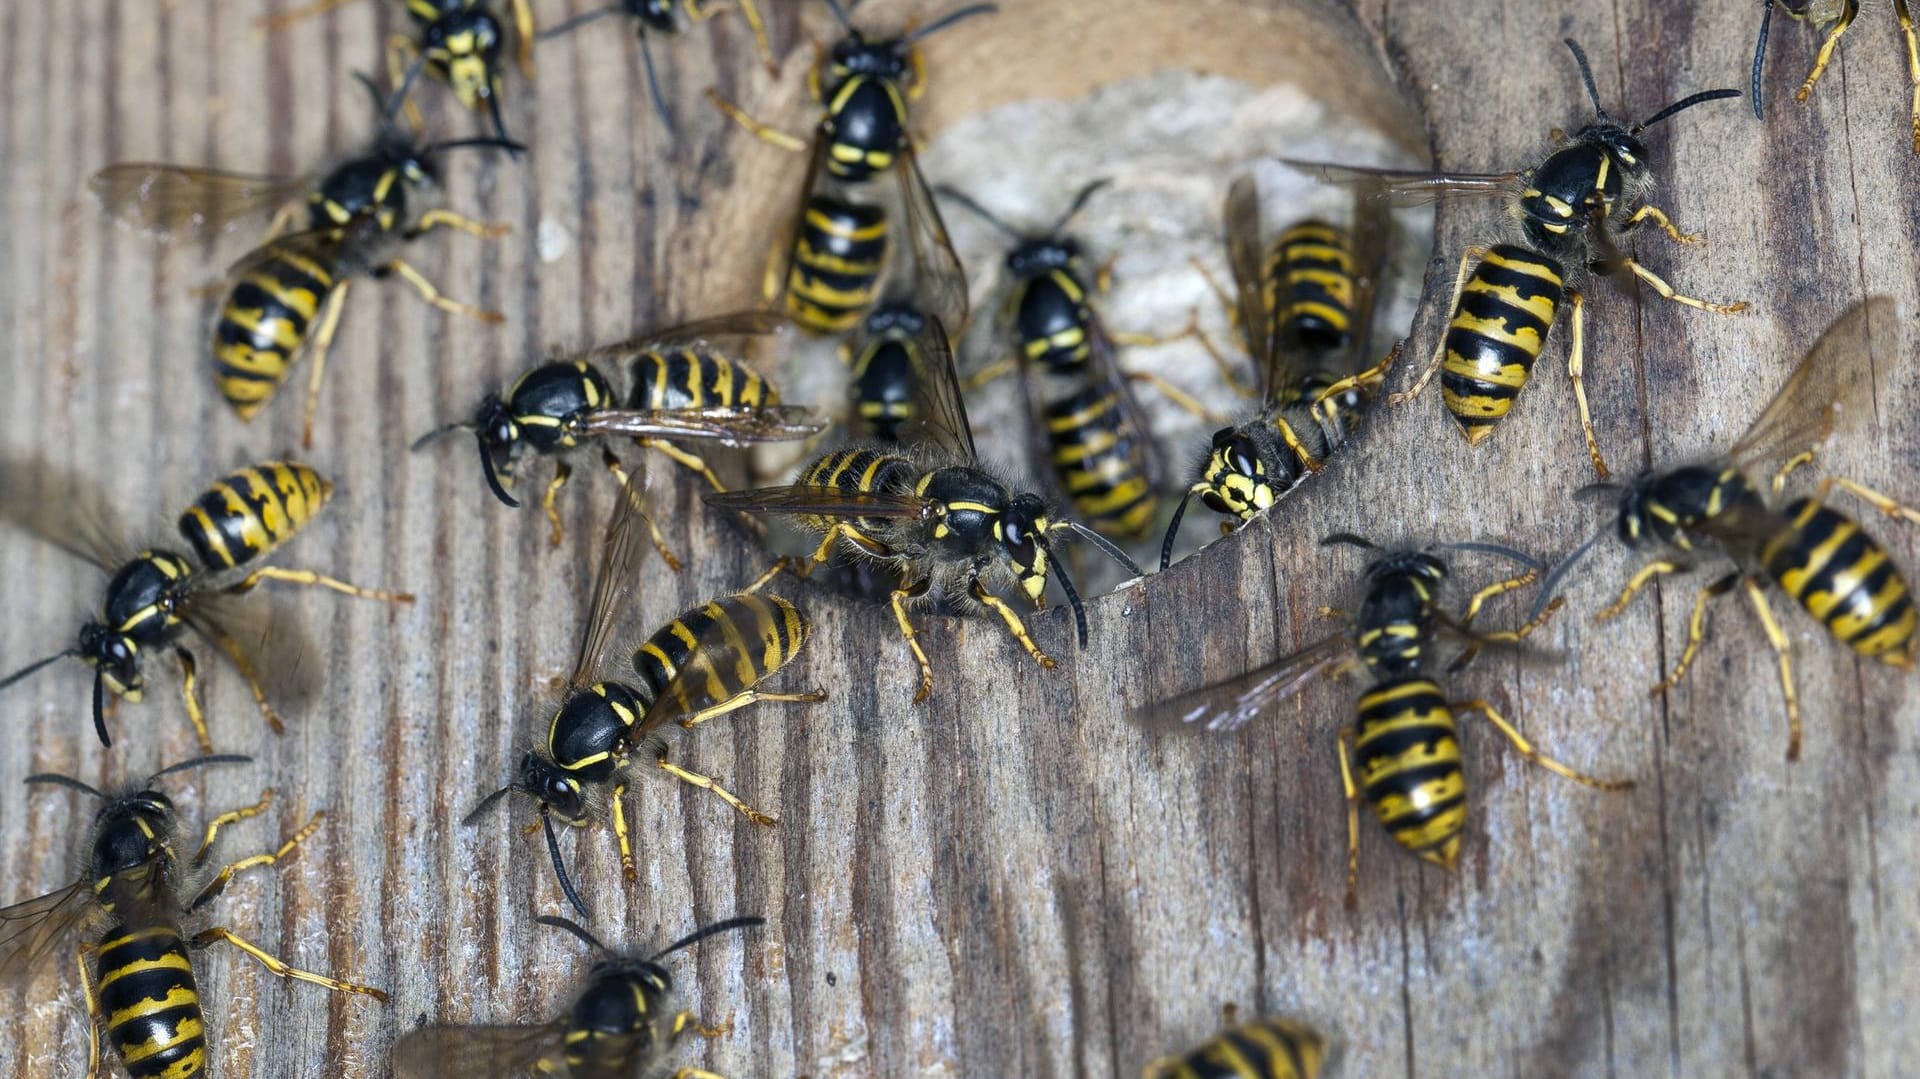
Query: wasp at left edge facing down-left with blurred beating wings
[158, 596]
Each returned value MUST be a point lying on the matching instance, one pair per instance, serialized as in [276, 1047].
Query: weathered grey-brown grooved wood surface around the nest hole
[1011, 880]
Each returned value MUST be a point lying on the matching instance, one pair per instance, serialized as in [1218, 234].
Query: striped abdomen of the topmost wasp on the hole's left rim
[838, 256]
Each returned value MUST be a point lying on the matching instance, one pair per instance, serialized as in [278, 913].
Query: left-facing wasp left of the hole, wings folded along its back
[686, 387]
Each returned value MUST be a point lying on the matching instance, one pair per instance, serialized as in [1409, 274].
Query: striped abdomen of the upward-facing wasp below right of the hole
[1408, 761]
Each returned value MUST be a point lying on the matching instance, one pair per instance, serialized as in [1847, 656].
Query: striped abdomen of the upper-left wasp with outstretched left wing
[266, 322]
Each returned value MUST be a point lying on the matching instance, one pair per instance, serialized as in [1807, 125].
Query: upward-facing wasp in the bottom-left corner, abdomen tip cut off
[135, 957]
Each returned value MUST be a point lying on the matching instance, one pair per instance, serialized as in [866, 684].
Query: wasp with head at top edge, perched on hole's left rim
[828, 270]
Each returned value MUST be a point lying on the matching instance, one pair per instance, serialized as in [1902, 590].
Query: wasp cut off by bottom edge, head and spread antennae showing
[615, 1030]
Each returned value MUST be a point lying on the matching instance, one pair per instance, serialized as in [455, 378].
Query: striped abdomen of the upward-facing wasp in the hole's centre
[1099, 462]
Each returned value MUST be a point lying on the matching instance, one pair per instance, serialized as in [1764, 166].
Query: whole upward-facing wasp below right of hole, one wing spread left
[1403, 742]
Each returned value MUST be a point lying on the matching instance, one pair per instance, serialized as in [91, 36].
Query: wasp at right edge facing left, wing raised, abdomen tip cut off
[1821, 558]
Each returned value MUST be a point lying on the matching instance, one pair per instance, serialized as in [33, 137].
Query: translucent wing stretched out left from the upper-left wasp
[174, 199]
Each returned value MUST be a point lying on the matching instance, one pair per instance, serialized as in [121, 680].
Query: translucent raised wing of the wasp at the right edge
[1831, 385]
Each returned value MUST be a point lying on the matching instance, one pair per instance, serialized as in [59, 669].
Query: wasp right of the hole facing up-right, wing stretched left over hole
[1570, 206]
